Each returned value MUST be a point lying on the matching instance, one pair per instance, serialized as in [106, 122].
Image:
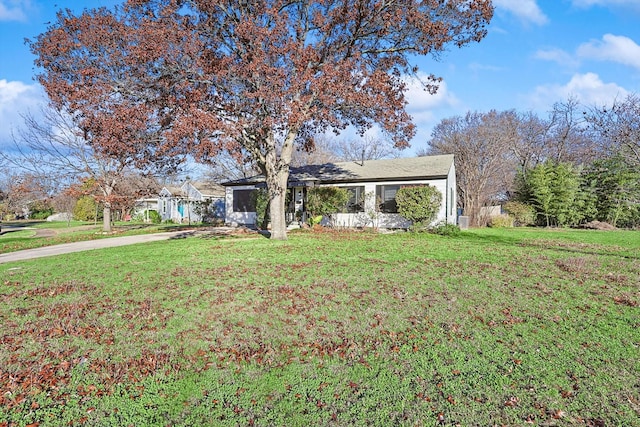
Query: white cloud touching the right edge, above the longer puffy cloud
[614, 48]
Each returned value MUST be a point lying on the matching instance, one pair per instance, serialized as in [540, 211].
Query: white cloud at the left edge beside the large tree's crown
[16, 99]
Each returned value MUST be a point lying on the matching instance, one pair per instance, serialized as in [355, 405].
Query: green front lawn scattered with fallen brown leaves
[493, 327]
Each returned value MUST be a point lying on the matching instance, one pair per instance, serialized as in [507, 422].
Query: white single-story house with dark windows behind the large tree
[372, 185]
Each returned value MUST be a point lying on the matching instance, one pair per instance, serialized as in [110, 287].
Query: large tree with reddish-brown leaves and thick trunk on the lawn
[265, 75]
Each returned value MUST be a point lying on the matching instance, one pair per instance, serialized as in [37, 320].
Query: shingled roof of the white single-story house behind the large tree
[403, 169]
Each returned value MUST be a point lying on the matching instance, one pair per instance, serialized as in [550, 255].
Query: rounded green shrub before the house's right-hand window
[419, 204]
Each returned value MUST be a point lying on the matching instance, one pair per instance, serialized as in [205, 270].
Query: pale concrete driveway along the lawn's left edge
[88, 245]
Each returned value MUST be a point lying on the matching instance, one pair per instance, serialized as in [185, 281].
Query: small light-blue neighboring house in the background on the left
[192, 202]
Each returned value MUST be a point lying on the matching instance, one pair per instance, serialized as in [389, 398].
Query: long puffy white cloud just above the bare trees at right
[588, 88]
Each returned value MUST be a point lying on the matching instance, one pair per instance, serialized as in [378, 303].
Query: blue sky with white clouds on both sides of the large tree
[537, 52]
